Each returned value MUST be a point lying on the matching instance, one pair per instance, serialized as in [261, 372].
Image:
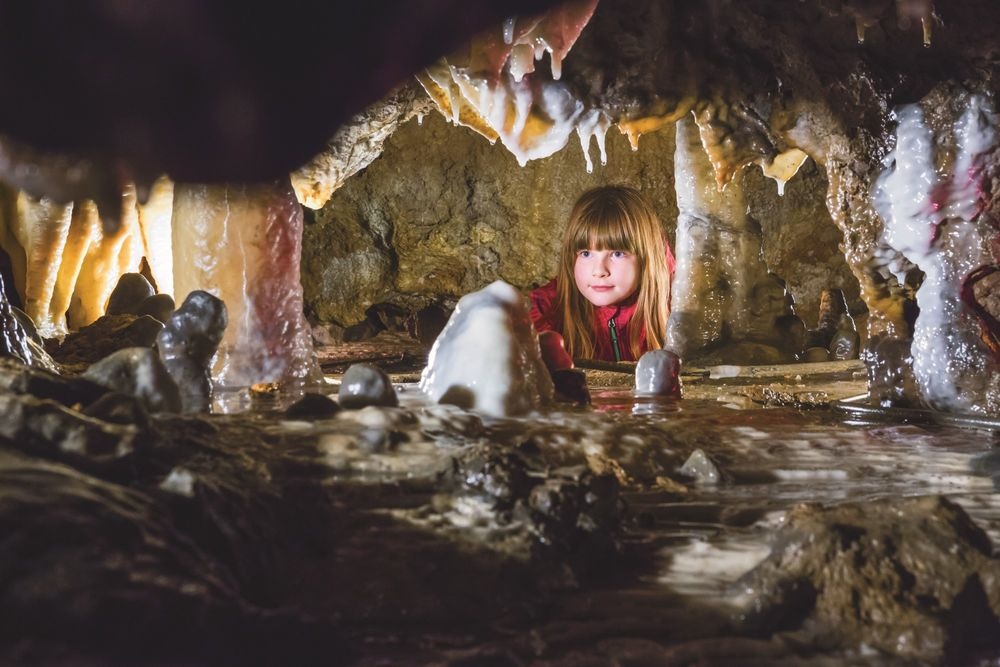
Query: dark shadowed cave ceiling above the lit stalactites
[128, 91]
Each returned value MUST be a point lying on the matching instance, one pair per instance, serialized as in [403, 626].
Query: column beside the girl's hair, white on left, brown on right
[718, 254]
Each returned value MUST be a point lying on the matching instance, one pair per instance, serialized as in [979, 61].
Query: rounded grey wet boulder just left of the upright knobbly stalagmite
[139, 372]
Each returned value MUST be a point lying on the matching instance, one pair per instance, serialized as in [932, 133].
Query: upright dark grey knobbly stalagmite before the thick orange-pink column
[187, 343]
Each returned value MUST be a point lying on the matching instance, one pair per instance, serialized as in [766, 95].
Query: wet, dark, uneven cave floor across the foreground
[426, 534]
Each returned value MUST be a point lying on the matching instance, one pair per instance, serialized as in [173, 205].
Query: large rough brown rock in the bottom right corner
[914, 578]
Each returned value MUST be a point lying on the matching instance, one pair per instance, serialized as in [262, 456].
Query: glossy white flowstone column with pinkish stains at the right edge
[932, 216]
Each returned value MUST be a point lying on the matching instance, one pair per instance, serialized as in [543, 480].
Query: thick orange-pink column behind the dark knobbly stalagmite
[243, 244]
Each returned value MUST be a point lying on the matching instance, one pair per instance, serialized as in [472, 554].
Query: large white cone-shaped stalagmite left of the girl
[487, 357]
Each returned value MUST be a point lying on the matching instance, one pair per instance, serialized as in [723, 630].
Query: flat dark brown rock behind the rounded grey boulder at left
[104, 336]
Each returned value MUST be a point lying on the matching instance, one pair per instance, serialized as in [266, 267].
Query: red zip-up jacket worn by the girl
[547, 316]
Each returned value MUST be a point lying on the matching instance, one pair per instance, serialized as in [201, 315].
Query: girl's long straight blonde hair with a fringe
[615, 217]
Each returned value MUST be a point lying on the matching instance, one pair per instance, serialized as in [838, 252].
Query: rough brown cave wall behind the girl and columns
[442, 212]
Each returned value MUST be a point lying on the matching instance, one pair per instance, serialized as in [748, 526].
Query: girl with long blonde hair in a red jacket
[611, 297]
